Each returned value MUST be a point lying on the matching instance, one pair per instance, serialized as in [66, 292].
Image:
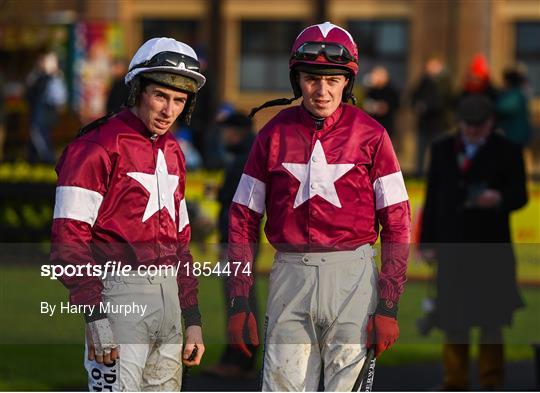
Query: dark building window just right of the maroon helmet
[382, 42]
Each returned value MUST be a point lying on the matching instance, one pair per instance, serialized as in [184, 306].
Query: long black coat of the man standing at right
[476, 281]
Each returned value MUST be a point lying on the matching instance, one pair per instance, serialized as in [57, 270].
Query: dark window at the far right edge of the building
[528, 51]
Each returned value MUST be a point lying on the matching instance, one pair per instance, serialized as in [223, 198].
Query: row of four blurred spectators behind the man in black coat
[434, 102]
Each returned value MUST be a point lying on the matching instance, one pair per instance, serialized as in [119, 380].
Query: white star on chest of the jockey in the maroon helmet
[317, 177]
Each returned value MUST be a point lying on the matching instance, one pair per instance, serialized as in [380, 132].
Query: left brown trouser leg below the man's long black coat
[455, 367]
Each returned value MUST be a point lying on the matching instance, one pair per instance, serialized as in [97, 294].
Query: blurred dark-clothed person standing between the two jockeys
[237, 137]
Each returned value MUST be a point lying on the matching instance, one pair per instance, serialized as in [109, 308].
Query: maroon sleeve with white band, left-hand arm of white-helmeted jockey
[83, 172]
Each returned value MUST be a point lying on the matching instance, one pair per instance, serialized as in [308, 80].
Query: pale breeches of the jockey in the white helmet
[150, 345]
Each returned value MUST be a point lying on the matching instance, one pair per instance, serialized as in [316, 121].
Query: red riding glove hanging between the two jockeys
[242, 327]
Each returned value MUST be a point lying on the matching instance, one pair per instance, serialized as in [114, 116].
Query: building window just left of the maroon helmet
[265, 49]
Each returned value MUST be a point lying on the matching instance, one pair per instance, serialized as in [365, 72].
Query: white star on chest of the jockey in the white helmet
[161, 187]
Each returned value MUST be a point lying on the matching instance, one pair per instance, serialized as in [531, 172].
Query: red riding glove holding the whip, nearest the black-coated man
[383, 329]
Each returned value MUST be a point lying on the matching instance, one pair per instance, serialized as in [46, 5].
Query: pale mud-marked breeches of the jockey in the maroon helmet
[317, 314]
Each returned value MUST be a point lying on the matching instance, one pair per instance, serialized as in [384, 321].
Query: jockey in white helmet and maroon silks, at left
[121, 197]
